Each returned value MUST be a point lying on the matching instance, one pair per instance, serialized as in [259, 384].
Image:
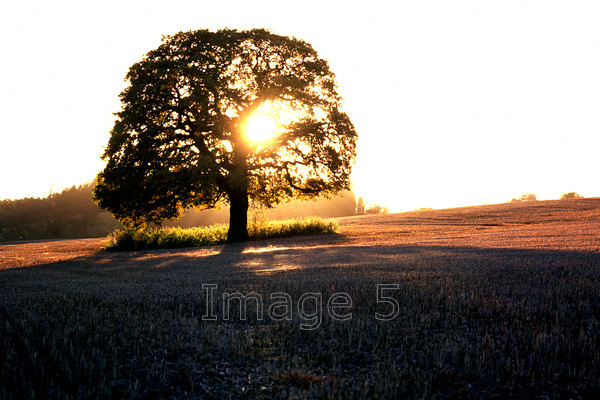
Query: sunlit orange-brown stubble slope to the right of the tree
[553, 224]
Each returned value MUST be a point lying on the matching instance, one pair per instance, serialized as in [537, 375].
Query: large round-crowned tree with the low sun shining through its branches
[179, 140]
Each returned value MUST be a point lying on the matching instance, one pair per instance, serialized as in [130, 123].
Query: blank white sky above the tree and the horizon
[455, 103]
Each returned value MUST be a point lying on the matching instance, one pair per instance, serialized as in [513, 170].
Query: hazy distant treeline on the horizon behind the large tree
[73, 214]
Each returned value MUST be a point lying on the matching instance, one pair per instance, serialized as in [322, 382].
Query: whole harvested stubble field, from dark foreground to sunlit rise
[492, 302]
